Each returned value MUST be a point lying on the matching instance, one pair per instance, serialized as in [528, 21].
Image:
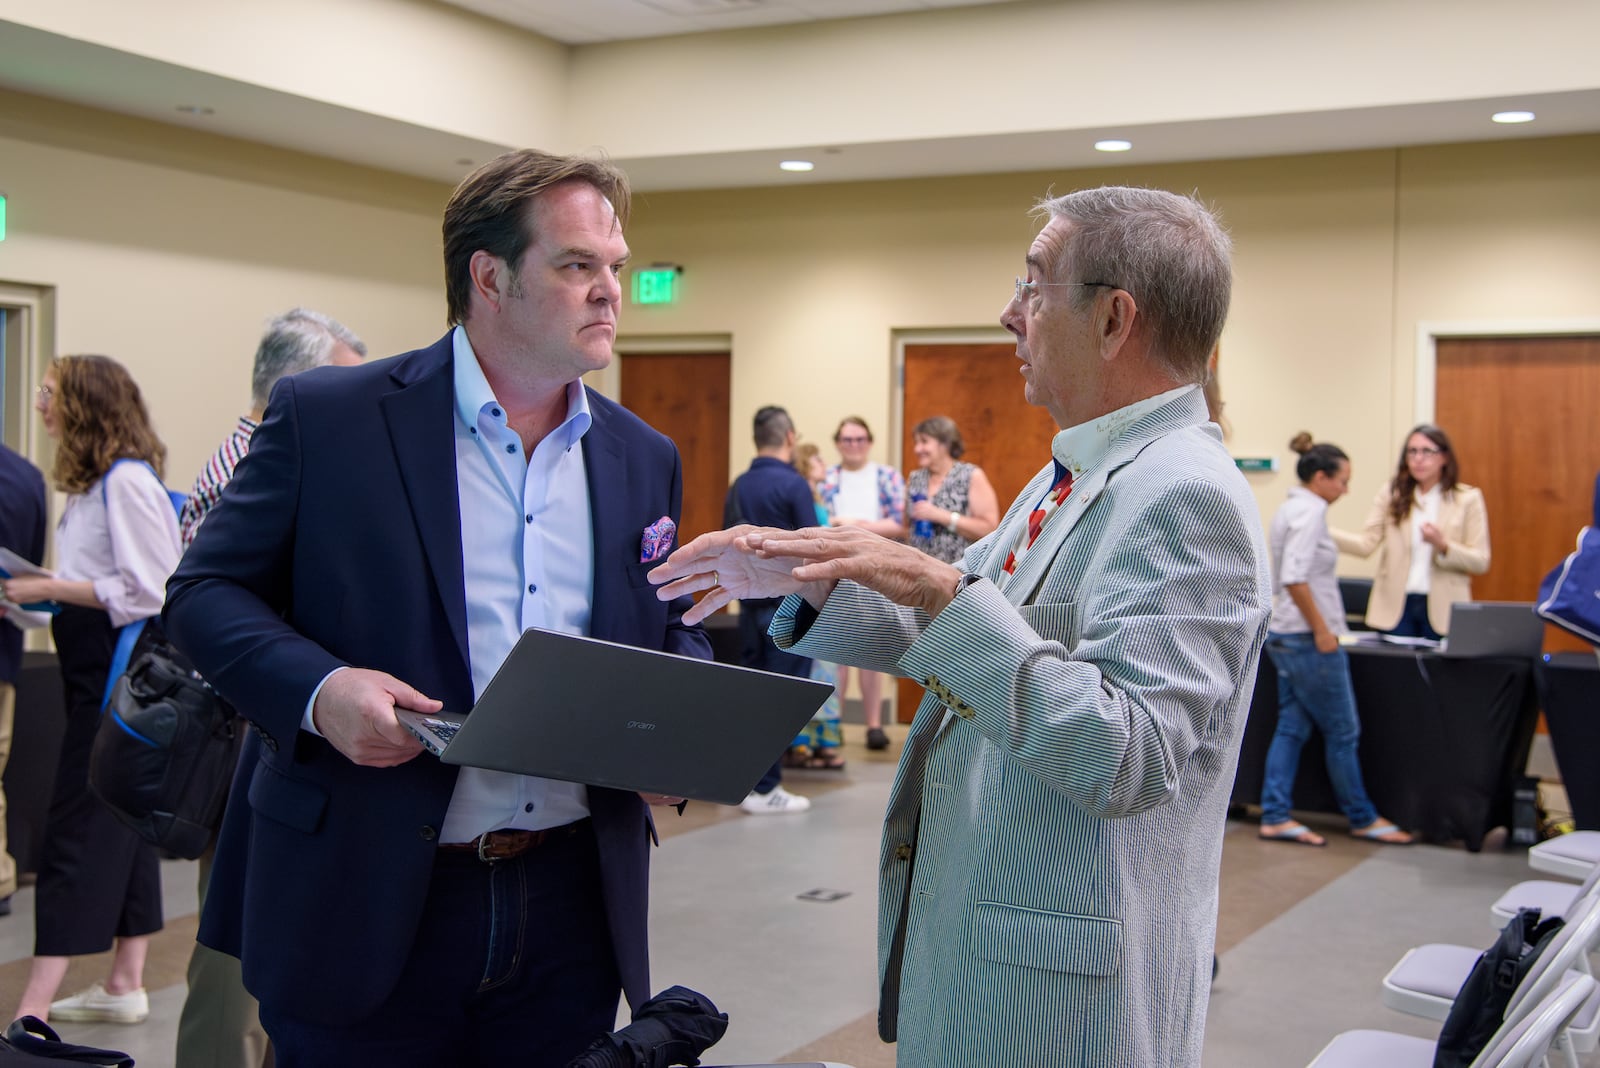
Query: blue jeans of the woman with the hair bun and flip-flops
[1314, 690]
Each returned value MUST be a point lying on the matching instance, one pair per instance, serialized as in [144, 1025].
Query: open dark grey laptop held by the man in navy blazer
[612, 715]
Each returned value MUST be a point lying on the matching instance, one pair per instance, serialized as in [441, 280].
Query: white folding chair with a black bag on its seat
[1428, 978]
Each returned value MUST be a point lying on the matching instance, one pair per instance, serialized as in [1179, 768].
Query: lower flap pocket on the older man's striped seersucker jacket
[1055, 942]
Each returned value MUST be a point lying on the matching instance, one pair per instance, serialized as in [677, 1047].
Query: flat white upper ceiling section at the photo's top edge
[594, 22]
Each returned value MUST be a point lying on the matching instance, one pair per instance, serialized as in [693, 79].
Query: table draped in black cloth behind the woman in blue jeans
[1444, 741]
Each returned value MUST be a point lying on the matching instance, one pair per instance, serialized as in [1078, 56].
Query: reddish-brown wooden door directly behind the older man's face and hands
[980, 388]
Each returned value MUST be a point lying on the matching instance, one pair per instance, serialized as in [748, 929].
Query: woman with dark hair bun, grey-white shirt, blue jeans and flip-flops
[1314, 672]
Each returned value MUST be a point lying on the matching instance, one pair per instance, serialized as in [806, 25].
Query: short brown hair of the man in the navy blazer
[489, 212]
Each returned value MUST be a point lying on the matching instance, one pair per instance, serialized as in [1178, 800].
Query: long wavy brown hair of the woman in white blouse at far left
[103, 420]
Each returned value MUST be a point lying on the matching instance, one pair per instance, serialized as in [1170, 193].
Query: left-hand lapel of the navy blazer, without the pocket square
[423, 432]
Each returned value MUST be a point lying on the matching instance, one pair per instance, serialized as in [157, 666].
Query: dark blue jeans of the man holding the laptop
[513, 965]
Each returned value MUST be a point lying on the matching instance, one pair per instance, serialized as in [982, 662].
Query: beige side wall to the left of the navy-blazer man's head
[175, 269]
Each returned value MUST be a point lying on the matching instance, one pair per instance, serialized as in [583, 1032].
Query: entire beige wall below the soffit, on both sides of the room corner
[169, 250]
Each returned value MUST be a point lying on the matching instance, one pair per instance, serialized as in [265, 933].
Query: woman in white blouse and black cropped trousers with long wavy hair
[118, 543]
